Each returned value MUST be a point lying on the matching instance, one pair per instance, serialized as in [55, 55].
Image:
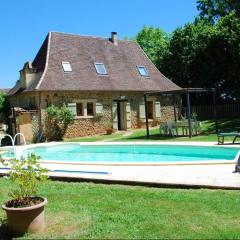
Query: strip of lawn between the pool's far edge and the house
[208, 134]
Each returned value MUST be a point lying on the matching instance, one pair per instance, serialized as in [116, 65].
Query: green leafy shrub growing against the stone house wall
[56, 122]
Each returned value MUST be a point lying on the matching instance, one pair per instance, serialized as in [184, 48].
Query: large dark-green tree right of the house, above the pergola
[205, 55]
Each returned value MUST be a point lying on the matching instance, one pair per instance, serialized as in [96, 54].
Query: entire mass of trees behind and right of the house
[205, 53]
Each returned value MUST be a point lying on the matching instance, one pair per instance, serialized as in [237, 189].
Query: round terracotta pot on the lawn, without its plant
[26, 219]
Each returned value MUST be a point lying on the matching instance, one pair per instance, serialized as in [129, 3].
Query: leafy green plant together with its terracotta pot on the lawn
[25, 211]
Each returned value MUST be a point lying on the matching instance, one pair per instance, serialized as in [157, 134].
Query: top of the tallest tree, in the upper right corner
[213, 10]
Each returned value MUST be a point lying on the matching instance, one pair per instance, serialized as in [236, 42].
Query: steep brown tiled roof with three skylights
[82, 52]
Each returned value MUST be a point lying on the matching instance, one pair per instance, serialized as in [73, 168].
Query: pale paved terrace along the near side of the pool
[196, 175]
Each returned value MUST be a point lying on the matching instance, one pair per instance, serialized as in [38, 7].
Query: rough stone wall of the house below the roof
[97, 124]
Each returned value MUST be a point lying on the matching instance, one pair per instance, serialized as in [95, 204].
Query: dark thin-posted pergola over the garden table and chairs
[187, 92]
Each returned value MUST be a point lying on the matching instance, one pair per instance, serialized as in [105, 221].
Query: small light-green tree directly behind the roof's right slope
[154, 42]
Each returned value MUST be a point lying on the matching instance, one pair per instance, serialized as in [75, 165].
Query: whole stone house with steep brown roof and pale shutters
[102, 81]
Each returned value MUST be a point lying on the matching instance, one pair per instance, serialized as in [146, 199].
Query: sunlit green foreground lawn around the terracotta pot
[86, 210]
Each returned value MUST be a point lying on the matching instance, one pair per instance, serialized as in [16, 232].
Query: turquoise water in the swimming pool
[133, 153]
